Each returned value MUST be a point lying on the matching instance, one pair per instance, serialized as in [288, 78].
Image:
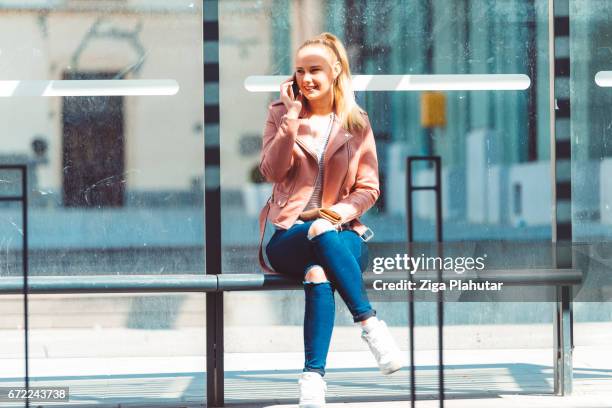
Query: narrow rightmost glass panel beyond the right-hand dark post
[591, 161]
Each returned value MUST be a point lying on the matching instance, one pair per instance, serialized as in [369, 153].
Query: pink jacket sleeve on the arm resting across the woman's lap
[365, 191]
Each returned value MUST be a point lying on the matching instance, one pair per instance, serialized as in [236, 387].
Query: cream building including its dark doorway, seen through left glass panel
[106, 151]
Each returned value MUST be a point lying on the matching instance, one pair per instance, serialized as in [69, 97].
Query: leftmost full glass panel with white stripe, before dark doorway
[115, 167]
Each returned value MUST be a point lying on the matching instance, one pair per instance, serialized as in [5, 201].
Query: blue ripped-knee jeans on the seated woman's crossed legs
[343, 256]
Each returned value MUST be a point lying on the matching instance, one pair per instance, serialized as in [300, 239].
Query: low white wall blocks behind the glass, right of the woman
[484, 194]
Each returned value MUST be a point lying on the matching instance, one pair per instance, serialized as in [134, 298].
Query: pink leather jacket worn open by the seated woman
[350, 185]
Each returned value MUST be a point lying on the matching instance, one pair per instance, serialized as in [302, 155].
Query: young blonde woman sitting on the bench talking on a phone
[319, 151]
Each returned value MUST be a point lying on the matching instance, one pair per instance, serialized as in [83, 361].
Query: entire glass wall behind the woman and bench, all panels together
[115, 188]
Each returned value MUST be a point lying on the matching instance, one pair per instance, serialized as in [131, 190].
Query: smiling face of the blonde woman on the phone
[315, 71]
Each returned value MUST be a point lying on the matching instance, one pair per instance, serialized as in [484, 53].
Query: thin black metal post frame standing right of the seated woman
[437, 188]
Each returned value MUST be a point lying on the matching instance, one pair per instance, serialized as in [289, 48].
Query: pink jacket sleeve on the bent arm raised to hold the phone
[277, 148]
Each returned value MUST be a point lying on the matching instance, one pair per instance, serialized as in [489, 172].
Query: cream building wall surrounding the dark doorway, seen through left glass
[162, 149]
